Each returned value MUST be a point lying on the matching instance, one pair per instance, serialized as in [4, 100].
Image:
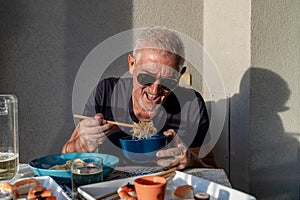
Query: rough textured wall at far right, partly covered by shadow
[275, 94]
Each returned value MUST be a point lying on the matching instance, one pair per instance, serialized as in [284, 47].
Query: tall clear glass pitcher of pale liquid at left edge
[9, 141]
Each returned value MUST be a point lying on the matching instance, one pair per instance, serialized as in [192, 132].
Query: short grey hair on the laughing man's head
[162, 39]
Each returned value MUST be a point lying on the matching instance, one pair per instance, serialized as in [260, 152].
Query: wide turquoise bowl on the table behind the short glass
[40, 166]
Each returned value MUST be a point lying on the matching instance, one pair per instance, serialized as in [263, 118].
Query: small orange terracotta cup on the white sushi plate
[150, 187]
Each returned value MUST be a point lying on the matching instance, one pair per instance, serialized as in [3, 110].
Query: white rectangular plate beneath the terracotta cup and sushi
[216, 191]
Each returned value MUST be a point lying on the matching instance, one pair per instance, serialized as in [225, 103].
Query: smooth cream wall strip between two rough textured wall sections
[227, 41]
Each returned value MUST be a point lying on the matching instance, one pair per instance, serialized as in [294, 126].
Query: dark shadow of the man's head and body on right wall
[273, 153]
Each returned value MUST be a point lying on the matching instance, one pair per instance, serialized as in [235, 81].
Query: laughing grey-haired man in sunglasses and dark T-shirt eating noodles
[152, 93]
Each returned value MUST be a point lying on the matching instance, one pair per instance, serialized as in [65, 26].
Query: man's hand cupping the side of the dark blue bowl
[179, 156]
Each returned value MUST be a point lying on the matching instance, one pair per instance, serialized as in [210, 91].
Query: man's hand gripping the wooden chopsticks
[93, 131]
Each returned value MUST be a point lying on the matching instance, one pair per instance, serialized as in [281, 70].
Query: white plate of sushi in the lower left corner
[49, 183]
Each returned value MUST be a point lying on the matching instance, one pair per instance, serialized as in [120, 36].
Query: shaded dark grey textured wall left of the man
[42, 45]
